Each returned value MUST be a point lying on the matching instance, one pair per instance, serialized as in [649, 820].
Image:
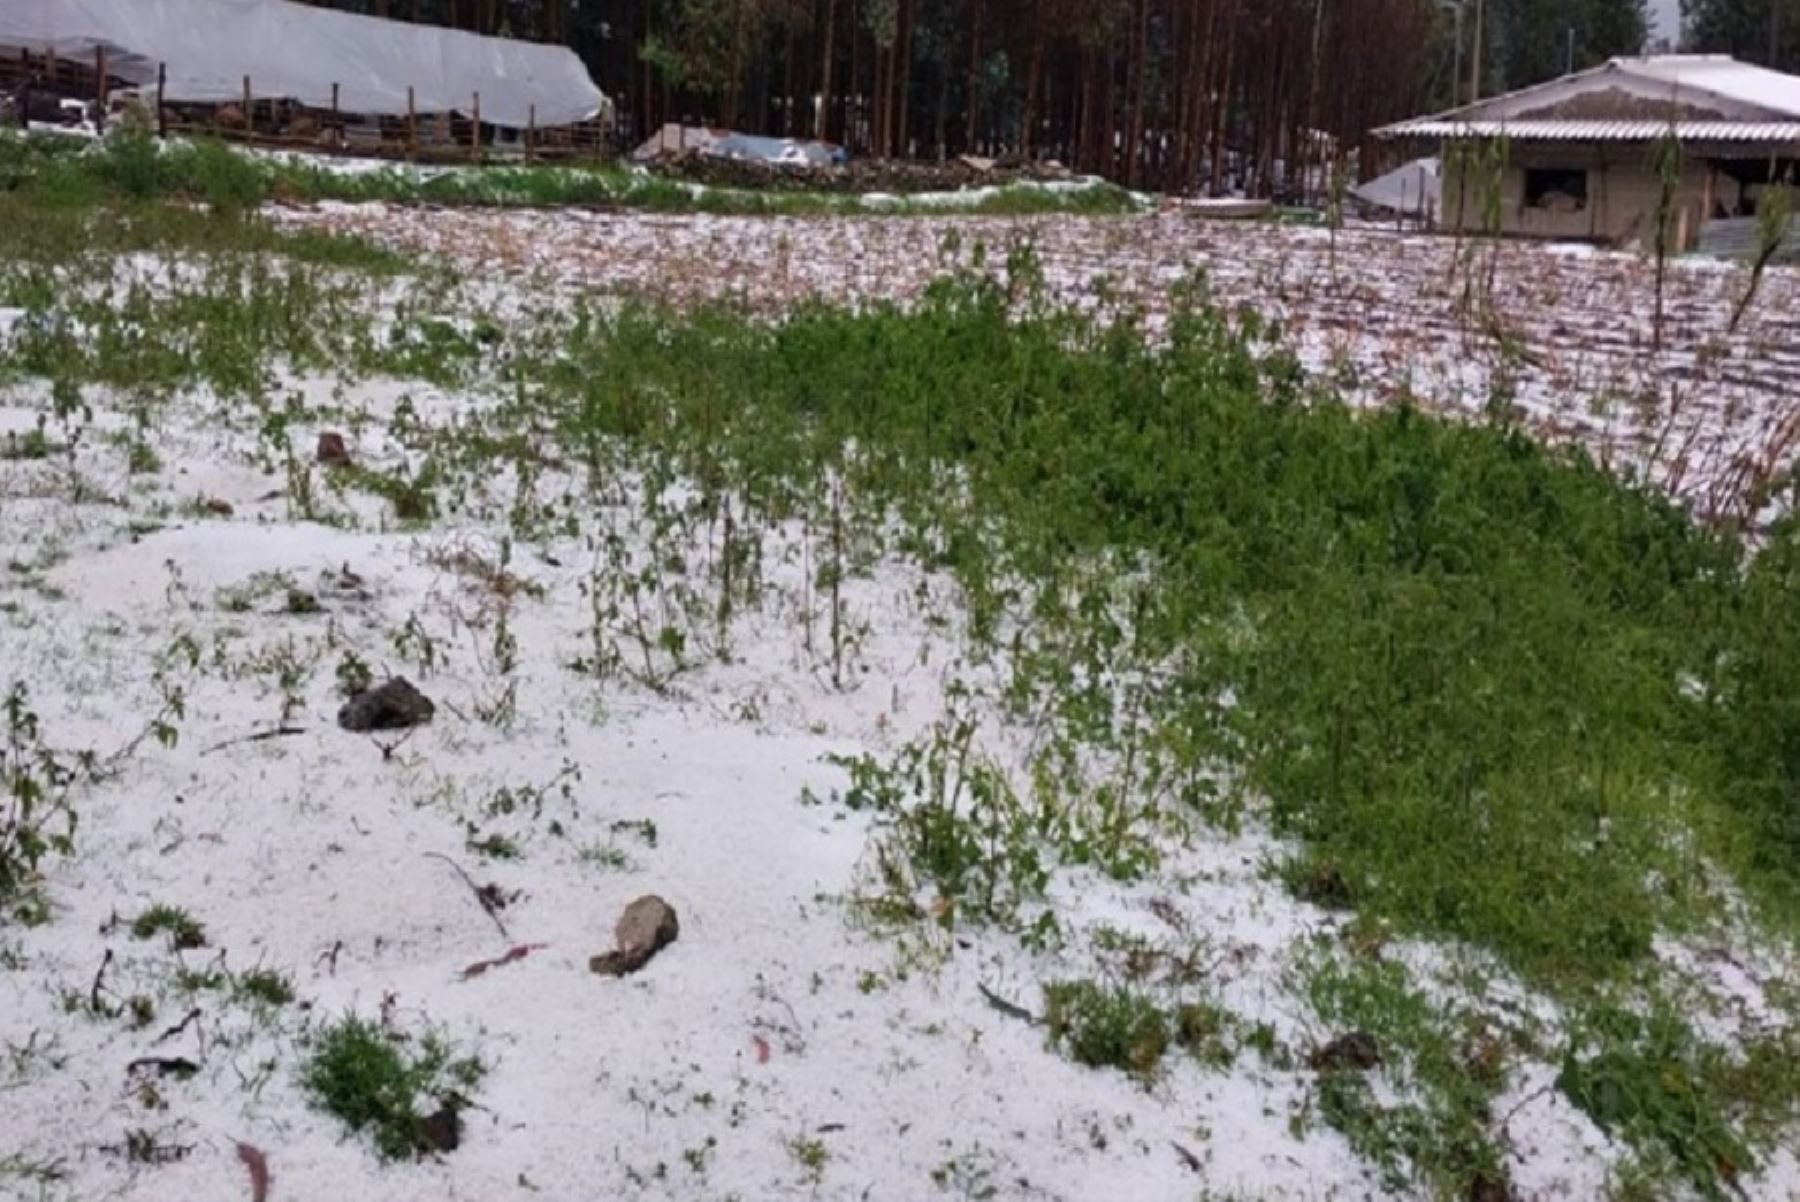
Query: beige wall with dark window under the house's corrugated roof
[1621, 206]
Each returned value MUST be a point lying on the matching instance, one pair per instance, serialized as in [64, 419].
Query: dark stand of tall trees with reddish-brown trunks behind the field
[1176, 94]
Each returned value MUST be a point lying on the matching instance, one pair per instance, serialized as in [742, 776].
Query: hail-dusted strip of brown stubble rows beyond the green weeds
[1563, 336]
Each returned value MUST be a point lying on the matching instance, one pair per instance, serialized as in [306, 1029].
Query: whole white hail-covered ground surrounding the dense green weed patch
[933, 940]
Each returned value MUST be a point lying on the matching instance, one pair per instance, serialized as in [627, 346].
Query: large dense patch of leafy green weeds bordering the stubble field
[1394, 625]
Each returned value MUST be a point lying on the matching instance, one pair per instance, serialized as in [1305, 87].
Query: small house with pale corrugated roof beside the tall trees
[1583, 157]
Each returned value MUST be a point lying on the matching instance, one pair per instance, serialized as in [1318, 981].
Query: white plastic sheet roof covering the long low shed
[292, 51]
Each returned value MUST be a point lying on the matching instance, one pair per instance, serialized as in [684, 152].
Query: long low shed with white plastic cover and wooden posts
[283, 71]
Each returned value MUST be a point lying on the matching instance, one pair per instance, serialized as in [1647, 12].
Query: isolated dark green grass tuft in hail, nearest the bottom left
[377, 1084]
